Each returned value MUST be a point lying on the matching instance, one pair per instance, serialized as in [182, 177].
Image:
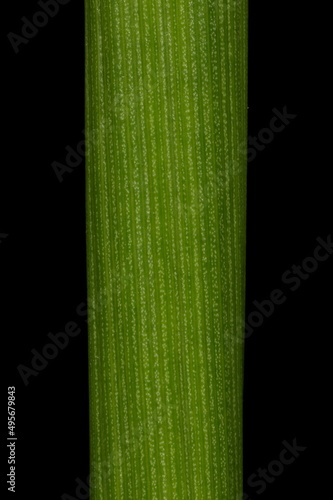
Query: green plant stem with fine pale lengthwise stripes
[166, 118]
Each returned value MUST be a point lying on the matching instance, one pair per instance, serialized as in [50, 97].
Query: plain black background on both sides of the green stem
[42, 250]
